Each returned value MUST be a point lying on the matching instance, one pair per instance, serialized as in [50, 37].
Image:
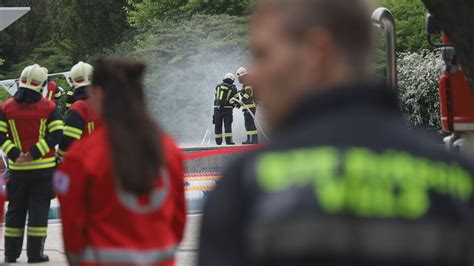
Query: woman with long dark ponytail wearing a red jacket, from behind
[121, 189]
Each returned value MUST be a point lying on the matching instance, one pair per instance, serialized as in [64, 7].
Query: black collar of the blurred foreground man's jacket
[328, 101]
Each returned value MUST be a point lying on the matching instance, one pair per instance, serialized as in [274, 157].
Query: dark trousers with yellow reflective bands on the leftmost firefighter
[29, 192]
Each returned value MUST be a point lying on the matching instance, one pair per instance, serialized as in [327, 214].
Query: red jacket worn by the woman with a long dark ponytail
[102, 226]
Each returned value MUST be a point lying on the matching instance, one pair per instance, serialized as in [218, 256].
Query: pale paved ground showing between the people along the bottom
[187, 254]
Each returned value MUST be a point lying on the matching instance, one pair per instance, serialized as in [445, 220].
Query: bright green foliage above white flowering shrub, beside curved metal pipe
[410, 22]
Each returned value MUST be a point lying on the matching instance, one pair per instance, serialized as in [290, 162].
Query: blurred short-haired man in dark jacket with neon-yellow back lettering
[344, 181]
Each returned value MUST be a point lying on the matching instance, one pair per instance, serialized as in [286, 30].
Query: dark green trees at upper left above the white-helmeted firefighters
[58, 33]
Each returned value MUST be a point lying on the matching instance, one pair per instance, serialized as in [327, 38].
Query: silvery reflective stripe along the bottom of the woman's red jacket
[122, 256]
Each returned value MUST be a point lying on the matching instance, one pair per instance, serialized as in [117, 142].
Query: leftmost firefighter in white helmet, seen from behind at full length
[30, 128]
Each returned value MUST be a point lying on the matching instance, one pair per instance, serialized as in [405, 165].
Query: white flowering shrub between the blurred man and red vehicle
[418, 85]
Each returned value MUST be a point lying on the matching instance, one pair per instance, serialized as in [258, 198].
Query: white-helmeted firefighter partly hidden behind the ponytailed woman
[80, 120]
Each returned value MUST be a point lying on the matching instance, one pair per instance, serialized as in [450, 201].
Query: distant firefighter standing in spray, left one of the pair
[223, 109]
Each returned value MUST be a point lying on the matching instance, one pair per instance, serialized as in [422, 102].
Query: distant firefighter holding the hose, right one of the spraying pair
[249, 108]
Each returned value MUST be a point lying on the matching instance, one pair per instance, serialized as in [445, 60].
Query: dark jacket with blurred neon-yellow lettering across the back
[343, 182]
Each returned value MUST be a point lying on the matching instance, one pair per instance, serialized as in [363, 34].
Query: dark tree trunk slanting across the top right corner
[456, 19]
